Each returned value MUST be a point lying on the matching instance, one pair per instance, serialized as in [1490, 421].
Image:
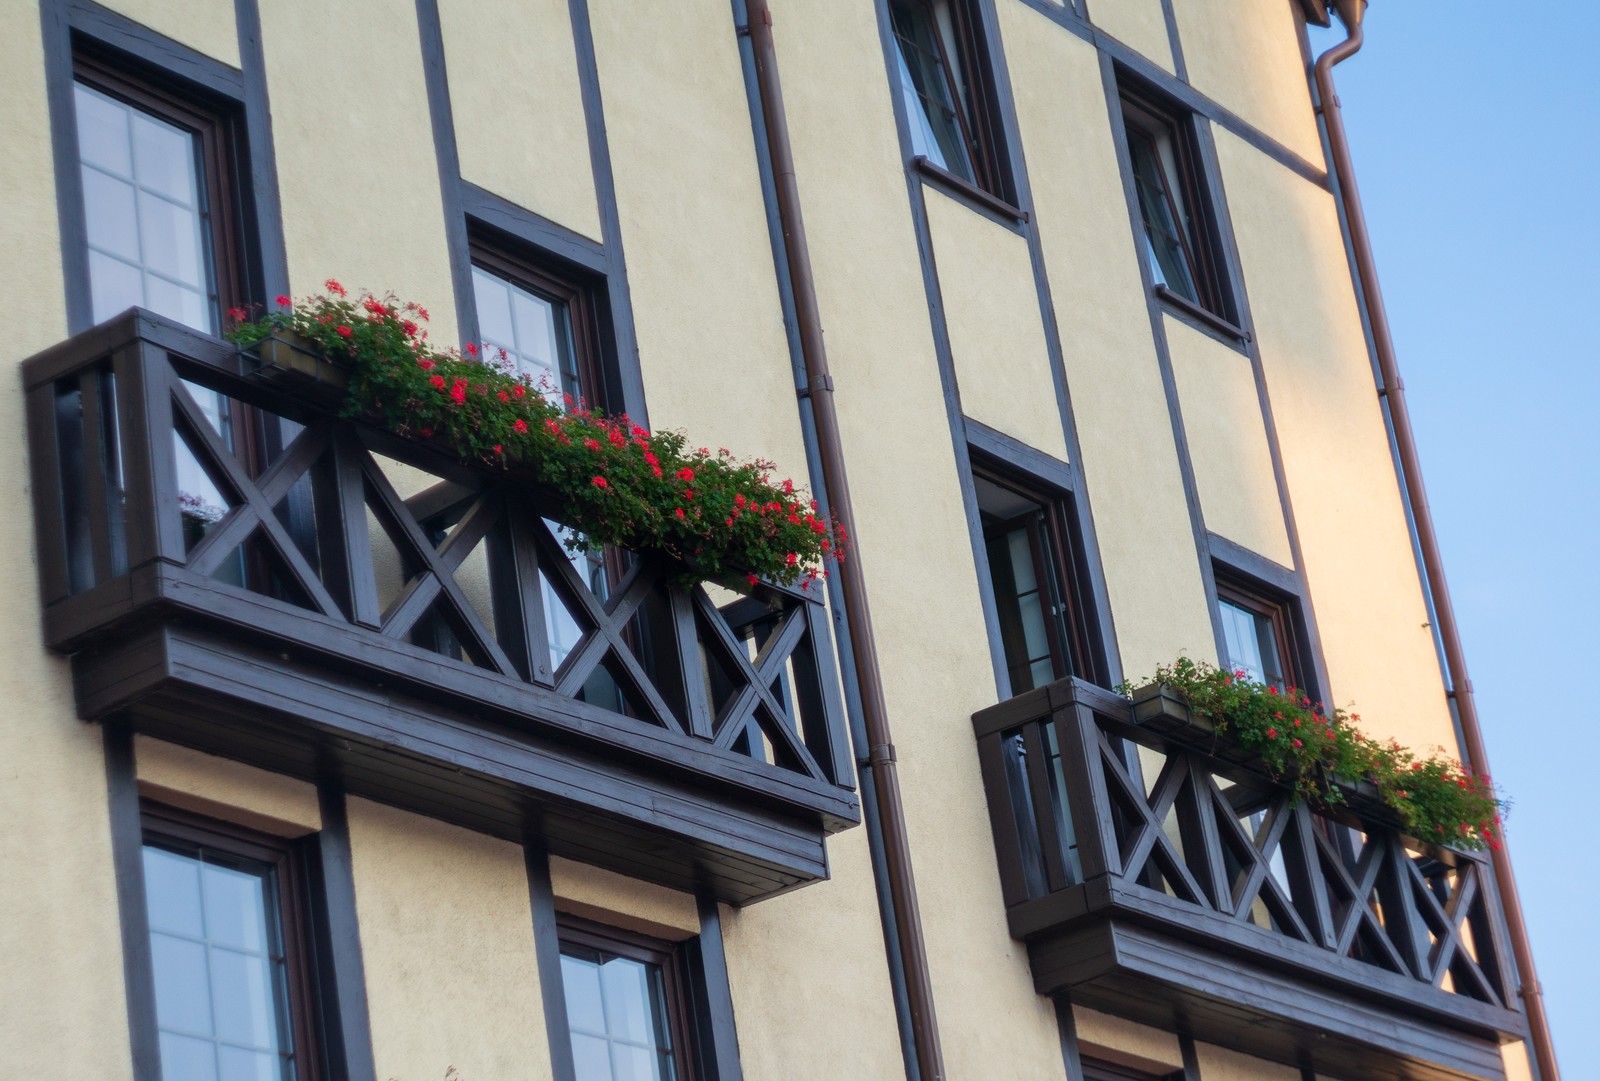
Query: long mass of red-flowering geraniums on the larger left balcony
[618, 484]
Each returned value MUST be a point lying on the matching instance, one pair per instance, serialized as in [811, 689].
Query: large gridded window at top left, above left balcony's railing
[158, 199]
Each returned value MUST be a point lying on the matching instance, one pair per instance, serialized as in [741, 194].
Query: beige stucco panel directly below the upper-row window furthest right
[1228, 442]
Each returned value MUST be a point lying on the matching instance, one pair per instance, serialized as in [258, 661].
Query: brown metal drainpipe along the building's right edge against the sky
[1393, 391]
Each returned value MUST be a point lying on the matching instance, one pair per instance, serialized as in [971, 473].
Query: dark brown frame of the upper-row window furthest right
[1148, 113]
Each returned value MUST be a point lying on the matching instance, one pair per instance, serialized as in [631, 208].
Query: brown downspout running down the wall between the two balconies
[852, 581]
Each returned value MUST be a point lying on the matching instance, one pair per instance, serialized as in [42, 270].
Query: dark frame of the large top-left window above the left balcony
[218, 127]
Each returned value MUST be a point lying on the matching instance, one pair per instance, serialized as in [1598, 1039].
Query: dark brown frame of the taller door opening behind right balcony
[1082, 650]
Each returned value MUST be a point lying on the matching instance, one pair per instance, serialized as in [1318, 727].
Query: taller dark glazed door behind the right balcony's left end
[1033, 564]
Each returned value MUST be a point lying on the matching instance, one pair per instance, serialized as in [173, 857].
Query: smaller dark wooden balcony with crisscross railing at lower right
[1159, 874]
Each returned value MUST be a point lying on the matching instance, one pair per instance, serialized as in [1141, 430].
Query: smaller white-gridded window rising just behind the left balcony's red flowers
[543, 321]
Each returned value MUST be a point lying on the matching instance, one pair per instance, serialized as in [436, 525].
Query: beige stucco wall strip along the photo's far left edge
[60, 936]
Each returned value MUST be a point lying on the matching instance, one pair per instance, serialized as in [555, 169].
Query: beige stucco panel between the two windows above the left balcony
[356, 153]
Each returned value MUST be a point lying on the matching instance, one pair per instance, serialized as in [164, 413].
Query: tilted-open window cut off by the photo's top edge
[948, 90]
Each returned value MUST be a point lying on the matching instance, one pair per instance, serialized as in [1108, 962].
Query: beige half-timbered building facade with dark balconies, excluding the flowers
[327, 762]
